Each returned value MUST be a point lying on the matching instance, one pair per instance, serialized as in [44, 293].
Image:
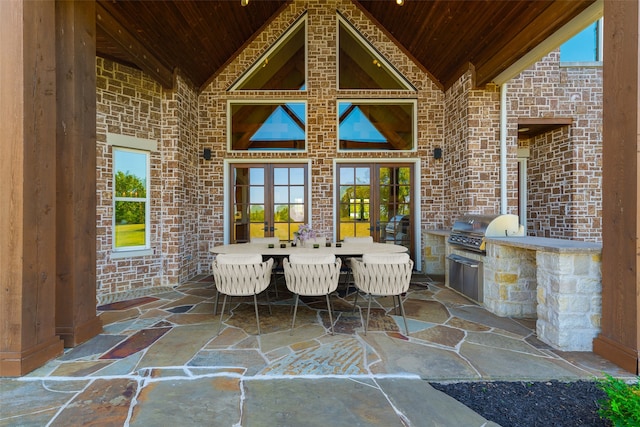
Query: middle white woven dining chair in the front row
[312, 275]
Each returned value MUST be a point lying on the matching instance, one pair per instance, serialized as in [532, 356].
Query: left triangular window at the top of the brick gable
[282, 67]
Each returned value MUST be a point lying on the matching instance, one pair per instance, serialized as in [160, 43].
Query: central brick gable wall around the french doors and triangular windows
[321, 95]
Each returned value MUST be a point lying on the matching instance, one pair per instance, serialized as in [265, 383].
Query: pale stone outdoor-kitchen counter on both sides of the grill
[557, 281]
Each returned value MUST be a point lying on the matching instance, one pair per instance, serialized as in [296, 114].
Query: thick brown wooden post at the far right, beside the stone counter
[619, 339]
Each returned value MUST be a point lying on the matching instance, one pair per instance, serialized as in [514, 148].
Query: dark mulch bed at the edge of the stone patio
[528, 404]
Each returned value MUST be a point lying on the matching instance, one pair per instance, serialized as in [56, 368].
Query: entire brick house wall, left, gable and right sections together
[187, 207]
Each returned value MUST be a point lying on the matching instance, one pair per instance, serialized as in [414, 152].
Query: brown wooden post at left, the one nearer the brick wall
[76, 318]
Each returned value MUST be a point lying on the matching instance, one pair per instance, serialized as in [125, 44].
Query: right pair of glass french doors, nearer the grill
[374, 199]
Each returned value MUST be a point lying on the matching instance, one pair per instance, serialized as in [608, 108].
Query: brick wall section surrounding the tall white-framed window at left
[128, 103]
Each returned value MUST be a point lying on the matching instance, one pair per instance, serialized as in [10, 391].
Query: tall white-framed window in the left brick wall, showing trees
[131, 199]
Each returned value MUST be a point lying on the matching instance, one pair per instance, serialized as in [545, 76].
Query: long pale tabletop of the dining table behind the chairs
[355, 249]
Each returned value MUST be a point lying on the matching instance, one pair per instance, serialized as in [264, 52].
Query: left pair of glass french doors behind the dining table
[268, 200]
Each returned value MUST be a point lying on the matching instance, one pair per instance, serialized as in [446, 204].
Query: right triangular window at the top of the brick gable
[361, 66]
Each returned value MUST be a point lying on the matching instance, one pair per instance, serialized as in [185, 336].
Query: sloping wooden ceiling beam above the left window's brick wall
[141, 56]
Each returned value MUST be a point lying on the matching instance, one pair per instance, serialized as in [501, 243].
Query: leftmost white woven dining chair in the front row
[241, 275]
